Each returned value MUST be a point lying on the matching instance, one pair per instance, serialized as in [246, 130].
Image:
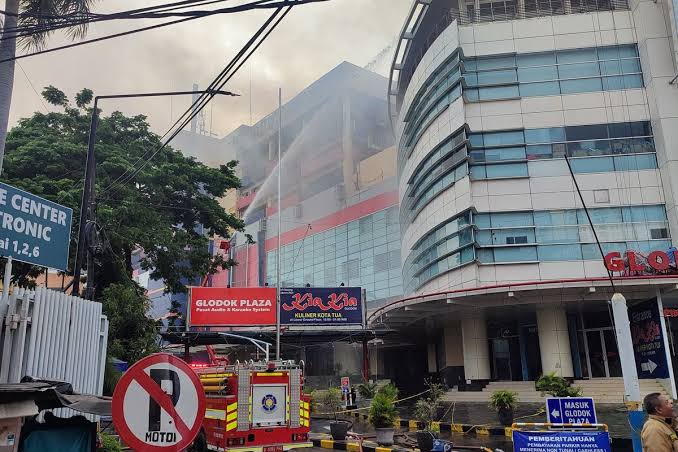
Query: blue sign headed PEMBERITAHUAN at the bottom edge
[561, 441]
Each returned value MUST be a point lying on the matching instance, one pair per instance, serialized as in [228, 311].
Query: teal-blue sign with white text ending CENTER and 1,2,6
[33, 229]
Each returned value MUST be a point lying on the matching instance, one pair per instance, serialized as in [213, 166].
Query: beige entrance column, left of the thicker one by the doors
[475, 348]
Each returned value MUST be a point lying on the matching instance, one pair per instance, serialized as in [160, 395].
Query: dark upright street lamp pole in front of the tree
[86, 204]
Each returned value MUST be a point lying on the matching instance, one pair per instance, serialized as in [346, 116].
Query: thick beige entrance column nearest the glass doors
[554, 341]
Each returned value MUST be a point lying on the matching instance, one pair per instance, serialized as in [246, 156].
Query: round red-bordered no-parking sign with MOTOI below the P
[159, 404]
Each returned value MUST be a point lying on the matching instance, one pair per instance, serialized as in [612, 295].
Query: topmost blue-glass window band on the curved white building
[519, 75]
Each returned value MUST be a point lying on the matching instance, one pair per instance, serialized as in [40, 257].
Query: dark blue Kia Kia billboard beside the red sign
[321, 306]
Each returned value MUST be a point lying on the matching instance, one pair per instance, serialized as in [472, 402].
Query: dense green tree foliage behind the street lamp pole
[168, 208]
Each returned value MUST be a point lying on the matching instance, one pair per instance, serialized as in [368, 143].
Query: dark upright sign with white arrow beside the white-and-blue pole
[648, 340]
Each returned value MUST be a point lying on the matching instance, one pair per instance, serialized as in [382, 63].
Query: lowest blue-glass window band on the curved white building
[554, 235]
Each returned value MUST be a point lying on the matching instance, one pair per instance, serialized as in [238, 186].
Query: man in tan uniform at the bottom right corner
[659, 434]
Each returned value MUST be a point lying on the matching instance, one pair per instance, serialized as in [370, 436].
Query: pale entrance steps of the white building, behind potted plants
[603, 391]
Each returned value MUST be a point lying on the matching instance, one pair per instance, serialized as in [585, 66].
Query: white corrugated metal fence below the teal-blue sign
[52, 335]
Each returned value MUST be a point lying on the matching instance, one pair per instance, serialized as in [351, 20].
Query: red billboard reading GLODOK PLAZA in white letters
[241, 306]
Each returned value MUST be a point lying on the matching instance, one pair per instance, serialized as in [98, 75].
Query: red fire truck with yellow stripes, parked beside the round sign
[254, 407]
